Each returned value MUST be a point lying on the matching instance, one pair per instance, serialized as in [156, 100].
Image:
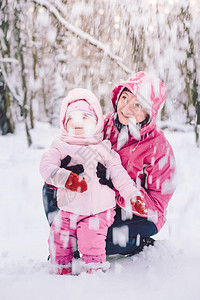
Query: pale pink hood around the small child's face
[72, 97]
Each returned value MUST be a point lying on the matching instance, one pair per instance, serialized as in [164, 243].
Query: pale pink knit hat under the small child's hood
[80, 106]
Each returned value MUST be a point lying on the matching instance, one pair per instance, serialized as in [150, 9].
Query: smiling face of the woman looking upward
[128, 107]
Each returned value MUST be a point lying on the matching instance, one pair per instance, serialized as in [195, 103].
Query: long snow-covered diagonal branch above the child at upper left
[83, 35]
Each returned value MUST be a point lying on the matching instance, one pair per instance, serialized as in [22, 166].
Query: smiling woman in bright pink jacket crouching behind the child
[145, 154]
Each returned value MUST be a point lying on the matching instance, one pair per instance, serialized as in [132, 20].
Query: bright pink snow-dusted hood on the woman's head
[150, 92]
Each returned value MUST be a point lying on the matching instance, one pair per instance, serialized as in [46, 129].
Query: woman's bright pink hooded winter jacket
[148, 160]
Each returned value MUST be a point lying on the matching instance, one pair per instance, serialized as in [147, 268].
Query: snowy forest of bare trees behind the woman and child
[50, 47]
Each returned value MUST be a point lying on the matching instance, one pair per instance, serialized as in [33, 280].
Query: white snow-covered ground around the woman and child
[170, 270]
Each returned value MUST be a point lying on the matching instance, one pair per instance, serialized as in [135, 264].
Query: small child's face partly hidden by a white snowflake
[79, 123]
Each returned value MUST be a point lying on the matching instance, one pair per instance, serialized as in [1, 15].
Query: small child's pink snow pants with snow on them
[89, 232]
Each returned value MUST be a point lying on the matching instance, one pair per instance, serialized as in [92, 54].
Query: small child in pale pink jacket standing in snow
[87, 208]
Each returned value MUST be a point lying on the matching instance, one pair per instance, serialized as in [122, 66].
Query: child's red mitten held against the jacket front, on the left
[75, 183]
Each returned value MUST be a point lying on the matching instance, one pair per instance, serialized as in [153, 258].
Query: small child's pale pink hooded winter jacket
[87, 151]
